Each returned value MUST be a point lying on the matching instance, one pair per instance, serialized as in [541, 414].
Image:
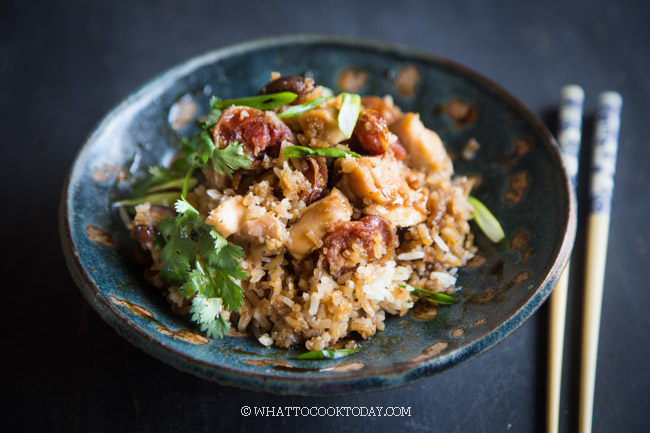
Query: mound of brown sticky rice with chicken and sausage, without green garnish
[331, 245]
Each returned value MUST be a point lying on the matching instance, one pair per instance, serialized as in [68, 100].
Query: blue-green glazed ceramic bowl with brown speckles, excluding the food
[523, 183]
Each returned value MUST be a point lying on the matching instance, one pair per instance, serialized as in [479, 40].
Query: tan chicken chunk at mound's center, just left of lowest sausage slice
[306, 235]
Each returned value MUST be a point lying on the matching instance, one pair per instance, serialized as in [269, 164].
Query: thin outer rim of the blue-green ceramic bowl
[345, 382]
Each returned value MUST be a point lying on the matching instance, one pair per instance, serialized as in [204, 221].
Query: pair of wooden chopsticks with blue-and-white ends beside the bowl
[602, 186]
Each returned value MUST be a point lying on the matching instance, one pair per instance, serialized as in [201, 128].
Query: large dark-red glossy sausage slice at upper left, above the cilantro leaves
[261, 132]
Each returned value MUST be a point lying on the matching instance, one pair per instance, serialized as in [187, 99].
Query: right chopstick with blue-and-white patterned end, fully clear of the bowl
[602, 187]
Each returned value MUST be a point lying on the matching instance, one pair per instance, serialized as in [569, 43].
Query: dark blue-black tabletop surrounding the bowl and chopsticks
[63, 65]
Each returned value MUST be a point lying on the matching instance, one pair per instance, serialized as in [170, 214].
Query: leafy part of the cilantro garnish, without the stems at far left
[194, 256]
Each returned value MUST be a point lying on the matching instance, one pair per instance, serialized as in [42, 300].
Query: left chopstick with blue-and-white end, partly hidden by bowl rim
[569, 134]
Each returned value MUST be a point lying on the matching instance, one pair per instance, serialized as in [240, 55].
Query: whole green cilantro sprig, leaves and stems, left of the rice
[194, 257]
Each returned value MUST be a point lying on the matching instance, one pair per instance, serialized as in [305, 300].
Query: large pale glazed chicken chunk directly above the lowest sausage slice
[379, 183]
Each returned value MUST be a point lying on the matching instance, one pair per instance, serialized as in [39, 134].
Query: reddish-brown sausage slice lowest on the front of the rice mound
[354, 243]
